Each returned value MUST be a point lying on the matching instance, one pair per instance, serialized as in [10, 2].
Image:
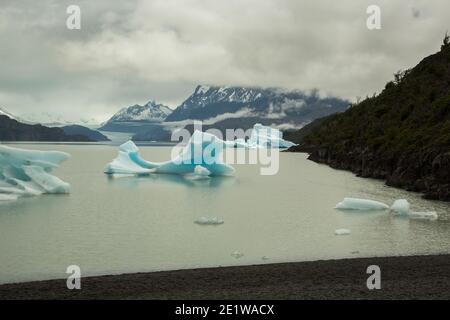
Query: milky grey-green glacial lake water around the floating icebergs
[137, 224]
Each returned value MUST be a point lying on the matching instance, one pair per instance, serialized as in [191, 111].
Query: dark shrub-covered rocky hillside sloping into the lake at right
[402, 135]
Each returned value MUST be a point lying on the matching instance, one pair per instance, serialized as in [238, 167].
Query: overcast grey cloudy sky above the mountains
[132, 51]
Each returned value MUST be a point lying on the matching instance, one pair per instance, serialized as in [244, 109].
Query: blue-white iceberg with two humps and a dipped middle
[201, 157]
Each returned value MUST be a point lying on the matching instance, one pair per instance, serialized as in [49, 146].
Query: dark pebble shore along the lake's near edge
[414, 277]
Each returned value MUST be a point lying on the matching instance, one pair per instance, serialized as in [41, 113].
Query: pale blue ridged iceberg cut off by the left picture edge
[27, 172]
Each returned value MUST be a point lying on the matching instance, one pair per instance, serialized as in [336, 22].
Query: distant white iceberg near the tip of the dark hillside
[267, 137]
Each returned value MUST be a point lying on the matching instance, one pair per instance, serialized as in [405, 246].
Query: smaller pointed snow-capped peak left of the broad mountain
[151, 112]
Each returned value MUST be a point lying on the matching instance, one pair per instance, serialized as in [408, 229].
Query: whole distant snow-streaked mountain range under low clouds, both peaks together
[223, 108]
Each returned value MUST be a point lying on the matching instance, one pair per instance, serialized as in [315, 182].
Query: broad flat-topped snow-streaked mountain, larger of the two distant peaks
[268, 106]
